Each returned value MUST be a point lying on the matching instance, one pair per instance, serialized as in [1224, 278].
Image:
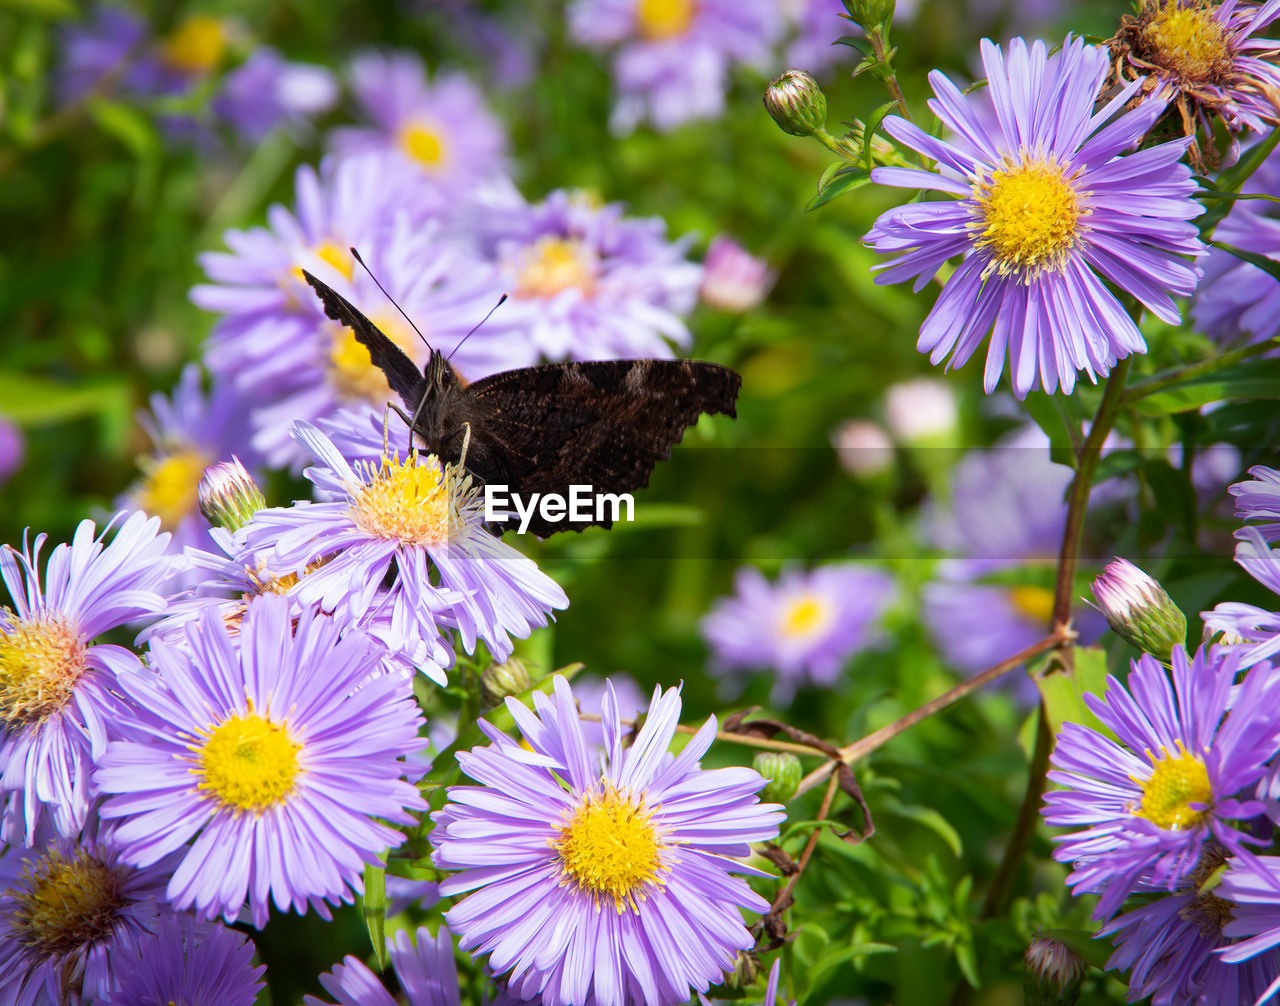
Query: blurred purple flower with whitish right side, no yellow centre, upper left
[267, 92]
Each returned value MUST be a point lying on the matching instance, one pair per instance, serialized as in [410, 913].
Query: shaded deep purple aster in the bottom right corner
[1176, 946]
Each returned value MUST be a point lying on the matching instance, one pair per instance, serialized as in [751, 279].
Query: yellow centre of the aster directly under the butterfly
[412, 501]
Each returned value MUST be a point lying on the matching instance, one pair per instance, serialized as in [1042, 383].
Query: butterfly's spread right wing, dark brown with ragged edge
[604, 424]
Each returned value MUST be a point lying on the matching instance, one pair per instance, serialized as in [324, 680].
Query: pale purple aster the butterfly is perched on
[419, 522]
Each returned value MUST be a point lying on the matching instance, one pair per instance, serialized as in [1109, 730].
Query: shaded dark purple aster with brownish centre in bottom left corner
[72, 917]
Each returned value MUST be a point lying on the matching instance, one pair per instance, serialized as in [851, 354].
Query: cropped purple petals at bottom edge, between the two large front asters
[428, 975]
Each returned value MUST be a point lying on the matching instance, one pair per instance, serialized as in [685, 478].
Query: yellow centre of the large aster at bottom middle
[611, 849]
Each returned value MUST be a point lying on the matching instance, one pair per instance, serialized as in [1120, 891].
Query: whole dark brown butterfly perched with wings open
[542, 429]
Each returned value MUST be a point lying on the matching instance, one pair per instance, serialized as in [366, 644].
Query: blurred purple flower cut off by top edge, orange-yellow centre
[673, 57]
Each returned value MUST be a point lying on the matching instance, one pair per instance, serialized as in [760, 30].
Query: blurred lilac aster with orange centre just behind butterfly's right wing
[586, 282]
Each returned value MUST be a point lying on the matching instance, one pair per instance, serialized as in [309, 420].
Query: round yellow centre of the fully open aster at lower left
[249, 762]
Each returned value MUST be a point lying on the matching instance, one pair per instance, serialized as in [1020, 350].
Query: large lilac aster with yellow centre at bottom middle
[618, 886]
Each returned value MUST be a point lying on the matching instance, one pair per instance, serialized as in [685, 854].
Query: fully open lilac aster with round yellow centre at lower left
[277, 754]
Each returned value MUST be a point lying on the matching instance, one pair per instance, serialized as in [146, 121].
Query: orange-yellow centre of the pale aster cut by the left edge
[42, 660]
